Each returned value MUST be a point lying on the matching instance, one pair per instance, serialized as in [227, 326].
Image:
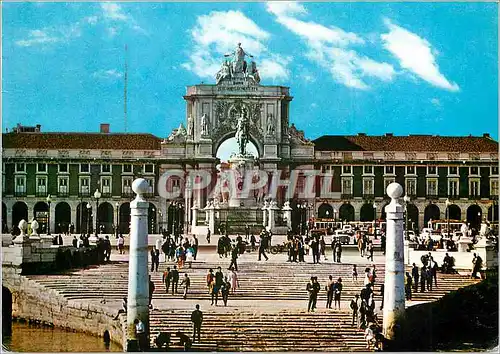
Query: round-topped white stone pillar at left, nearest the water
[138, 277]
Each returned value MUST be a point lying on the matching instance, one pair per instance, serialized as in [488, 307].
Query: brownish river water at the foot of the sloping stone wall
[31, 338]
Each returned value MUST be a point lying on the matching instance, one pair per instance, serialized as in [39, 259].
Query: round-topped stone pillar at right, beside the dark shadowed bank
[394, 291]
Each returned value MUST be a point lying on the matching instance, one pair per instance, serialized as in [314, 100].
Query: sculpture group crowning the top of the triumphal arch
[237, 67]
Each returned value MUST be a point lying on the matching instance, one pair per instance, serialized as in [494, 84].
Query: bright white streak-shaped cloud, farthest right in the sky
[416, 55]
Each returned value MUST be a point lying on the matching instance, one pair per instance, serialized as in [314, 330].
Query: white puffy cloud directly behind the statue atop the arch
[218, 33]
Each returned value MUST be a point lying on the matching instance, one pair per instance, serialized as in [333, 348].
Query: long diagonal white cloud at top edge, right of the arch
[328, 46]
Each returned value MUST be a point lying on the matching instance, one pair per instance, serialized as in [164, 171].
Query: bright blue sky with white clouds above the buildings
[406, 68]
